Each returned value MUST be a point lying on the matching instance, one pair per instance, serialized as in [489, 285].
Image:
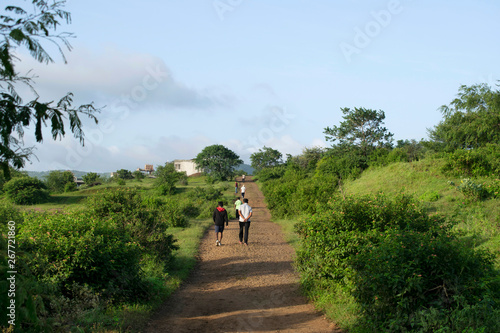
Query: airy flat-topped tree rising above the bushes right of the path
[361, 127]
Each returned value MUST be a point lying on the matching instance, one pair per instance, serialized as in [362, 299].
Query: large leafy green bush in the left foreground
[82, 248]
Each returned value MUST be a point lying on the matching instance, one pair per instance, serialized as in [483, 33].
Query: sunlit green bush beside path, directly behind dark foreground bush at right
[333, 235]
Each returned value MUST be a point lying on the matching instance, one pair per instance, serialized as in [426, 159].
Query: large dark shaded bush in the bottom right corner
[400, 275]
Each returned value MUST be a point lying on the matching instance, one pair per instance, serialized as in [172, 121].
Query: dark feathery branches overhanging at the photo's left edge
[29, 29]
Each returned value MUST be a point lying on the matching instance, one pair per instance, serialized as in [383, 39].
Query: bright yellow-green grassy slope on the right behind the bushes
[478, 220]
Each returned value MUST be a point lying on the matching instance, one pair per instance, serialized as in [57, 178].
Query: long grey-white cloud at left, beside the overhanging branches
[141, 80]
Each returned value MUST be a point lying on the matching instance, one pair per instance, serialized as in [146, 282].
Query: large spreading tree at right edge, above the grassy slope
[470, 121]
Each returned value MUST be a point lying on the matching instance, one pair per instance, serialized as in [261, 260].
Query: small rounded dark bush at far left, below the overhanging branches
[26, 191]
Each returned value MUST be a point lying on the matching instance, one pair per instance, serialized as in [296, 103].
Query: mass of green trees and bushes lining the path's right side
[385, 261]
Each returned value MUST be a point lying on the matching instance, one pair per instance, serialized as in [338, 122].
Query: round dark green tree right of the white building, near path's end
[218, 162]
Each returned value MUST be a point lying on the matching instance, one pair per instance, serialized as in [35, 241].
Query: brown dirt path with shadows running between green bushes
[237, 288]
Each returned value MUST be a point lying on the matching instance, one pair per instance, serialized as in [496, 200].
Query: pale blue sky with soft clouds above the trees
[172, 77]
